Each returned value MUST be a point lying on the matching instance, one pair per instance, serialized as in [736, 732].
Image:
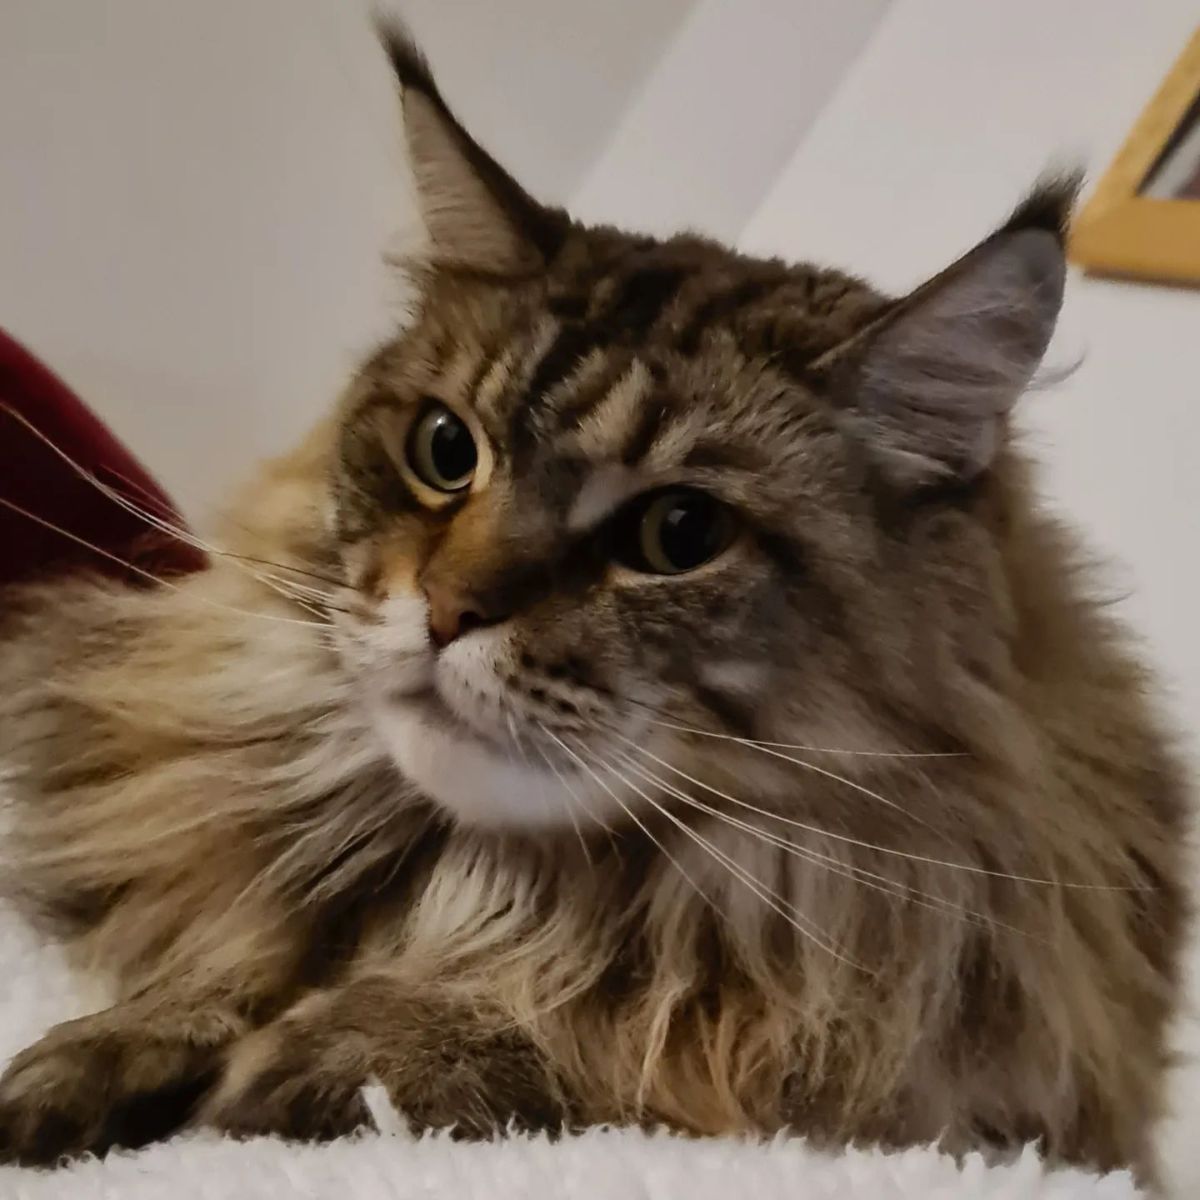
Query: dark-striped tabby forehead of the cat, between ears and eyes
[632, 361]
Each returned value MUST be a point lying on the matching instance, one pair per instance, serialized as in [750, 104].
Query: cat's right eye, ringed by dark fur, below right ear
[676, 531]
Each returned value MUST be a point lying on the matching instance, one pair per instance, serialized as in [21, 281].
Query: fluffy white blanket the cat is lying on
[37, 991]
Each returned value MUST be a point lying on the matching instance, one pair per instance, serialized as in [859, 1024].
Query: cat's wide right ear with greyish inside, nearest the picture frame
[928, 388]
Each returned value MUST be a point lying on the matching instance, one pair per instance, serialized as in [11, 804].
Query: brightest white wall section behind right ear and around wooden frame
[946, 118]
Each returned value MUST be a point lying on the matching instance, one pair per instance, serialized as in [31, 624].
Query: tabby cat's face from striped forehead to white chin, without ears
[572, 511]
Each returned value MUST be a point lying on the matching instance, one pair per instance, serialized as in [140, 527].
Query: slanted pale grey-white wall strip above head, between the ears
[723, 112]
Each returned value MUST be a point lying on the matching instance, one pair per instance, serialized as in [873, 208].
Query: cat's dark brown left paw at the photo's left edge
[115, 1079]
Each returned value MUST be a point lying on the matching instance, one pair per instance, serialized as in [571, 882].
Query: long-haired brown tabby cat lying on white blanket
[656, 695]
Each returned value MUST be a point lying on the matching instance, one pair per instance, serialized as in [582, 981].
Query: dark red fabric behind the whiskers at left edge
[35, 479]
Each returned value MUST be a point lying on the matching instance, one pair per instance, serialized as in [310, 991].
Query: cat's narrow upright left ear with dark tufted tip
[476, 214]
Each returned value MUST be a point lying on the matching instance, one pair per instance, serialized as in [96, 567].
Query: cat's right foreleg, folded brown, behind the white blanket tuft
[442, 1064]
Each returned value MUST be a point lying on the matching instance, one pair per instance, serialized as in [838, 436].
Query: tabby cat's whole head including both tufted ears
[607, 489]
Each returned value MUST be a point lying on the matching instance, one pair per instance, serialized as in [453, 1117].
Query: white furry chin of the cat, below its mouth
[478, 782]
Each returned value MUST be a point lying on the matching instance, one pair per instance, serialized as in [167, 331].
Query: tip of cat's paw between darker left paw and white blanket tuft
[280, 1082]
